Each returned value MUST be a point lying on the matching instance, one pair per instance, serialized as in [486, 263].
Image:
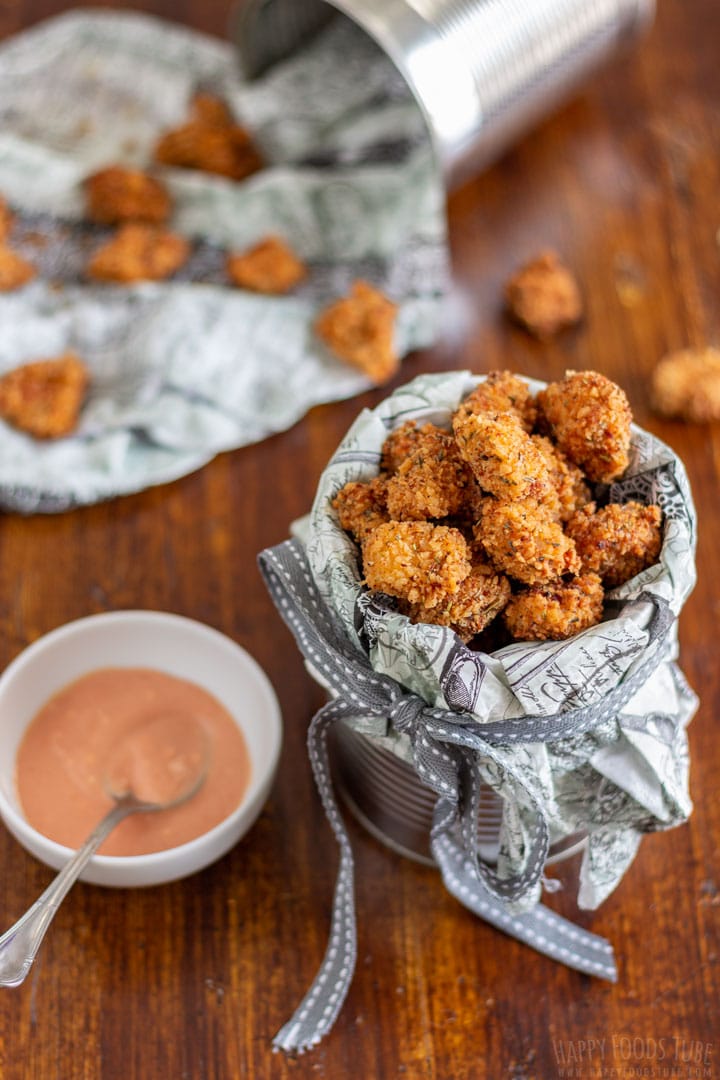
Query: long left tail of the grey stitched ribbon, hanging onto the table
[319, 1010]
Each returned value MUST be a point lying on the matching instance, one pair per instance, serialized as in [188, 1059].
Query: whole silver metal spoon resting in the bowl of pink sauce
[20, 946]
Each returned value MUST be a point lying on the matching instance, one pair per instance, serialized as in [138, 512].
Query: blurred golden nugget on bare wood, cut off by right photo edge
[686, 385]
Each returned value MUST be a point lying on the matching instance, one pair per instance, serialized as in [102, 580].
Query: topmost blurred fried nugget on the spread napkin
[211, 142]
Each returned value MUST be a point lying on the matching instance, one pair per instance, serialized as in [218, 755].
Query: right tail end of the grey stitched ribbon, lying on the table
[540, 928]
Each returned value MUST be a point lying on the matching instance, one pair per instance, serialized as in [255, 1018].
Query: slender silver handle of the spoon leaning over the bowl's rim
[21, 943]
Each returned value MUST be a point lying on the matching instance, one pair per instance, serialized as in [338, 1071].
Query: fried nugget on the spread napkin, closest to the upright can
[360, 330]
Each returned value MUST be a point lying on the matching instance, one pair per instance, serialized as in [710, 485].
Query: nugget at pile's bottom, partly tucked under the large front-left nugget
[480, 598]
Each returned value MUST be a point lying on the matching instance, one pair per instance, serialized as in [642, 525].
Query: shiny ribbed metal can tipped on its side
[482, 71]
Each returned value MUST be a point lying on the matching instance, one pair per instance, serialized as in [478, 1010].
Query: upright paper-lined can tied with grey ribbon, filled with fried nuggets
[488, 586]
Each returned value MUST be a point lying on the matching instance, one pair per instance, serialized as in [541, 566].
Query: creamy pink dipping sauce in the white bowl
[74, 741]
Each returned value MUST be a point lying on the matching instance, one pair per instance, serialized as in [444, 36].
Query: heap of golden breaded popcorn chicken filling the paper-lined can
[496, 517]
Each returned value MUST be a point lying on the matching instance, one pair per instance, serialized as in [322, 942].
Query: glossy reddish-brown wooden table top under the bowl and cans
[194, 979]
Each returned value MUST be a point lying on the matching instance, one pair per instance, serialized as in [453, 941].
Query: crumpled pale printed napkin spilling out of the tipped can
[186, 369]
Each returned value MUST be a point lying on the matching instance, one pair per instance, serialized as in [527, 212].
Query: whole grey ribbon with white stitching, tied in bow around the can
[446, 749]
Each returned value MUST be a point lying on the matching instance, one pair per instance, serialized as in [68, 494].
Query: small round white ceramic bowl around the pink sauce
[168, 643]
